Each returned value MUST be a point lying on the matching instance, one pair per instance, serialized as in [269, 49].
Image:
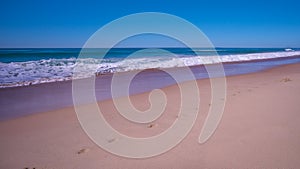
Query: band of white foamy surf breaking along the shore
[43, 71]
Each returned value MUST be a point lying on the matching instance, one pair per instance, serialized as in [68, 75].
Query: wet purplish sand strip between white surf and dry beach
[56, 95]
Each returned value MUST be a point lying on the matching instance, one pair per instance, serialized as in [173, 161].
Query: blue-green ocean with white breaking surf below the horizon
[22, 67]
